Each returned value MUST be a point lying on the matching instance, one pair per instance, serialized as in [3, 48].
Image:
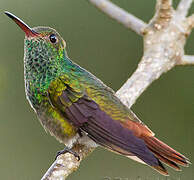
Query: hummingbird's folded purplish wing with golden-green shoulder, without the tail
[85, 114]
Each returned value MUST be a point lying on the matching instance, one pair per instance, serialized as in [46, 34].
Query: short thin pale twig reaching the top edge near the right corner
[183, 8]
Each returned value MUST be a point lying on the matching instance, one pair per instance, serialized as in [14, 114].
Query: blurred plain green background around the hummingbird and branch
[112, 53]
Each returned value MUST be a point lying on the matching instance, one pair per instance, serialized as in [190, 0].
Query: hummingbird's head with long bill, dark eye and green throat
[44, 51]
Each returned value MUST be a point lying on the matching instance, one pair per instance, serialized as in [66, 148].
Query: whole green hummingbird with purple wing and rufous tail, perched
[78, 108]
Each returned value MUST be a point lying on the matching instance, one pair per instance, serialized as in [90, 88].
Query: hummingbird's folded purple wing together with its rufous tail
[130, 138]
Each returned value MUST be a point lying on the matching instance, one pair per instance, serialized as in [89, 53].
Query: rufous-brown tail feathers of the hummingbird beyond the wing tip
[165, 153]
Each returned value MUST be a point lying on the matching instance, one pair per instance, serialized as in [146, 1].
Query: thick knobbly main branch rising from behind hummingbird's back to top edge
[163, 46]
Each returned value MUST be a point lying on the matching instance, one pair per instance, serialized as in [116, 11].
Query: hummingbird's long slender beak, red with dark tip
[28, 31]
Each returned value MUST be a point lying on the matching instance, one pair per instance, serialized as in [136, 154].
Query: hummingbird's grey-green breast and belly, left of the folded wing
[51, 119]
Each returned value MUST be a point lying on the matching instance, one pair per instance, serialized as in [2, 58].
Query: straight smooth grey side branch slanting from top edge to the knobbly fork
[120, 15]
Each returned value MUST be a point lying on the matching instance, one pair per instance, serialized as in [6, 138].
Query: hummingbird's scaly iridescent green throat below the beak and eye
[43, 63]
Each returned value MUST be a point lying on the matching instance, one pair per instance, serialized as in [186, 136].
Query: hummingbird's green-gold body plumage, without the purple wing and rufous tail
[48, 68]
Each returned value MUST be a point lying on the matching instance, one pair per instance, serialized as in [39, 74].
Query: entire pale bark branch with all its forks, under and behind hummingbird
[164, 40]
